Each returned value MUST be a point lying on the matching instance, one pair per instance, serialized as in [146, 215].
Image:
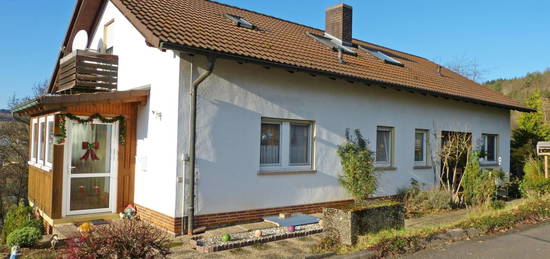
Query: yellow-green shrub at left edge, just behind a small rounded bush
[19, 216]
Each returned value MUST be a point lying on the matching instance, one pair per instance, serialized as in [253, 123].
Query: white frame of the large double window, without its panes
[284, 150]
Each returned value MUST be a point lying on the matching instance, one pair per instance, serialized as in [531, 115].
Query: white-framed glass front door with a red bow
[91, 167]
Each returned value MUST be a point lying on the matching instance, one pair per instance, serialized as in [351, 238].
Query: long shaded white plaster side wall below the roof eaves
[235, 97]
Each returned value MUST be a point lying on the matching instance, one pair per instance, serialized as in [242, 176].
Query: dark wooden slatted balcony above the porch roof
[87, 71]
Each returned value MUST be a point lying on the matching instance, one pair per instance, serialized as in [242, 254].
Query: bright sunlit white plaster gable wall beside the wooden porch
[142, 67]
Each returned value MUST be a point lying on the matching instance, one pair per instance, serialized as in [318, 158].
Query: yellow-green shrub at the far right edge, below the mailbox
[534, 184]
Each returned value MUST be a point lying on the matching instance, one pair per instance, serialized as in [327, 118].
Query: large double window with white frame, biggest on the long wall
[285, 145]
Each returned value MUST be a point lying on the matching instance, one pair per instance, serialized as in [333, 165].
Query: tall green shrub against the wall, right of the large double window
[358, 165]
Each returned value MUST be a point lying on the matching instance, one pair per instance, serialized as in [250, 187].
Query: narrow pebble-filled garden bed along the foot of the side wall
[241, 239]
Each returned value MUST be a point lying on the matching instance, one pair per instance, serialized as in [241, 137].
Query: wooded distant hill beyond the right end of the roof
[522, 87]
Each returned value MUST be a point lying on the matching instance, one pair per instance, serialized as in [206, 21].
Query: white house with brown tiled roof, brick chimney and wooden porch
[147, 95]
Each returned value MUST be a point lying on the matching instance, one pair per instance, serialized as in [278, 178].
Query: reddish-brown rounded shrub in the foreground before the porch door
[120, 239]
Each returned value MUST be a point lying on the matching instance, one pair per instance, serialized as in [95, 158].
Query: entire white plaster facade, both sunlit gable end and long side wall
[231, 105]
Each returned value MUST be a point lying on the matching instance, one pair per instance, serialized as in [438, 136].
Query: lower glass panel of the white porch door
[89, 193]
